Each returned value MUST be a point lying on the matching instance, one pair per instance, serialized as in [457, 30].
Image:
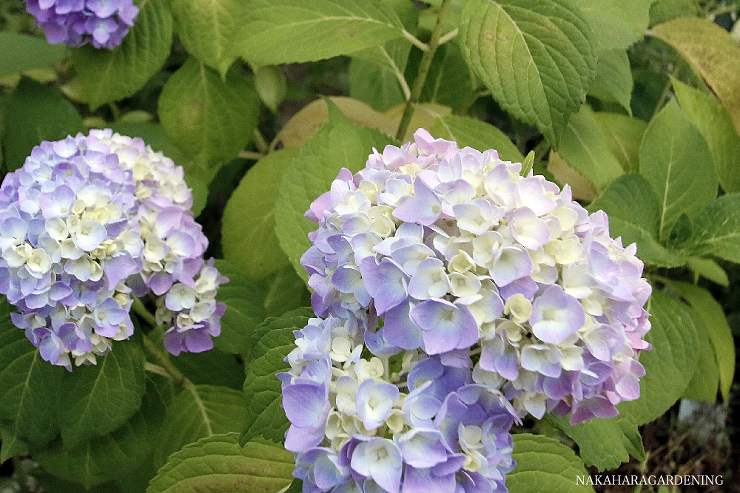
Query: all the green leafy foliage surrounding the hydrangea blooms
[635, 103]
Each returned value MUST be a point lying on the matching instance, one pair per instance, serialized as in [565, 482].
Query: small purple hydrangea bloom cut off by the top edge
[104, 23]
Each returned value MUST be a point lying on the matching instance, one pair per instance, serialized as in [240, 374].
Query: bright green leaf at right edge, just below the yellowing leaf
[715, 125]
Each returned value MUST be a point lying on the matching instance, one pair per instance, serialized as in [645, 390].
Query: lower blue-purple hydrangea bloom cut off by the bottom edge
[406, 423]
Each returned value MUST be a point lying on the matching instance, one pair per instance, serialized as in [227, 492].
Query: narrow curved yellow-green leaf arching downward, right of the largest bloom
[710, 320]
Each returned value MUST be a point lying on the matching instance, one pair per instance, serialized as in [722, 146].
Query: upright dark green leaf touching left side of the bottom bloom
[265, 416]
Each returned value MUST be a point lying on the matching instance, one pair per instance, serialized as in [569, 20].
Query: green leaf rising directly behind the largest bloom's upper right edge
[634, 212]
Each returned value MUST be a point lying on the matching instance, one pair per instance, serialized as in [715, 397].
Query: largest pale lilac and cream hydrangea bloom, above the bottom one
[452, 253]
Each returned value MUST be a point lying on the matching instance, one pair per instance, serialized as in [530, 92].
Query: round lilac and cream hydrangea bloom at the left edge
[87, 223]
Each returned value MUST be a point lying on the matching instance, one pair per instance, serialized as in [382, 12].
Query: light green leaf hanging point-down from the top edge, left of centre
[209, 29]
